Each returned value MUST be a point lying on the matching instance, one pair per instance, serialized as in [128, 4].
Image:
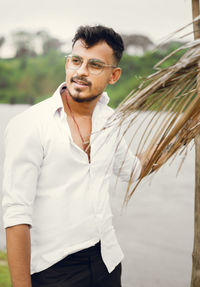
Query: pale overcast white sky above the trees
[61, 18]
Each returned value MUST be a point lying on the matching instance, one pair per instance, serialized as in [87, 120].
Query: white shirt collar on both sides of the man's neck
[57, 103]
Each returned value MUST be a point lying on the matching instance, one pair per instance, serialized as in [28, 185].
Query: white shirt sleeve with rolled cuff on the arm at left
[23, 156]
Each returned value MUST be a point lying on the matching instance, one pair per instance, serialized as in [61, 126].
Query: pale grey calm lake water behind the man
[155, 230]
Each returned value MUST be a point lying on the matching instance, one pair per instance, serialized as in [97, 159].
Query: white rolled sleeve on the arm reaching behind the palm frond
[126, 164]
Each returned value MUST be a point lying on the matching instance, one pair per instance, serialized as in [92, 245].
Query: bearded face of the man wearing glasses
[82, 85]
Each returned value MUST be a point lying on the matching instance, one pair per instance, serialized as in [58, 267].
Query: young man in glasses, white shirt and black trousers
[58, 166]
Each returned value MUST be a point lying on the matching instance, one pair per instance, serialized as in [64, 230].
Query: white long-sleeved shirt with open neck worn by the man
[50, 184]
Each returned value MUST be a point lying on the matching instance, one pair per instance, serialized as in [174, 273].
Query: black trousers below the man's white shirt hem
[81, 269]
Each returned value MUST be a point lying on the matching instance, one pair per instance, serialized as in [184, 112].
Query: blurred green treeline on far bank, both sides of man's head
[32, 78]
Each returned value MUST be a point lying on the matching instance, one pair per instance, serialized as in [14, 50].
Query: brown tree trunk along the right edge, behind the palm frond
[195, 282]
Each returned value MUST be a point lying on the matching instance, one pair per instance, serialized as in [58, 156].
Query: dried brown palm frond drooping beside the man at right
[170, 94]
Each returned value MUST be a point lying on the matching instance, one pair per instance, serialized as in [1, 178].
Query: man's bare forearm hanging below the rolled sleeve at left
[18, 250]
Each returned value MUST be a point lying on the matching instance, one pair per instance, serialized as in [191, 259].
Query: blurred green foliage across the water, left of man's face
[26, 80]
